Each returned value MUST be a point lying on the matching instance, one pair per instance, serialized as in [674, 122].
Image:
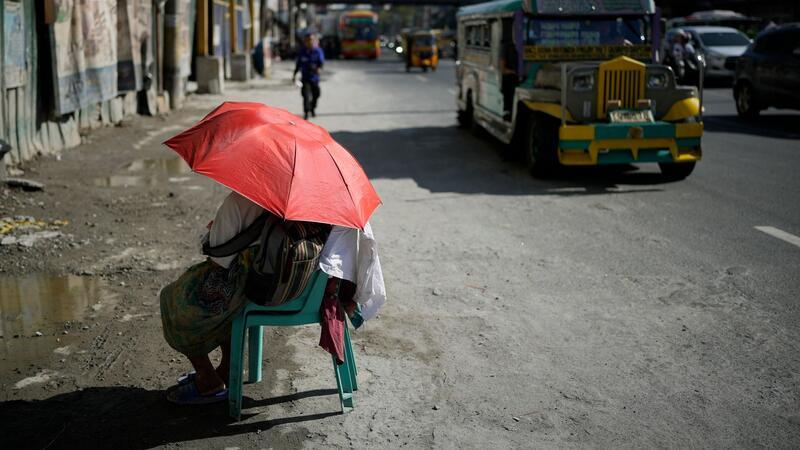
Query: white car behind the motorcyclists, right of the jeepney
[716, 44]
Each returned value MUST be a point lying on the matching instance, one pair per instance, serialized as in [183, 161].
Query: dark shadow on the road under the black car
[782, 126]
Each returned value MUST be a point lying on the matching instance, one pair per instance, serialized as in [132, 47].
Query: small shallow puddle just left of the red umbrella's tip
[153, 171]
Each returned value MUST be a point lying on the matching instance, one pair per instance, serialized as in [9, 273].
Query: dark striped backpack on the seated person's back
[287, 256]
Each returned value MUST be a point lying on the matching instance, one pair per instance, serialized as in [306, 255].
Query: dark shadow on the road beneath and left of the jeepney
[448, 159]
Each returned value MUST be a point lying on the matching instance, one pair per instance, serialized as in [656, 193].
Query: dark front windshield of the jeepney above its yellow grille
[585, 31]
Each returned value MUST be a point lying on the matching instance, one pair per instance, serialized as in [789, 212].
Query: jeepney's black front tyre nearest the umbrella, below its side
[541, 146]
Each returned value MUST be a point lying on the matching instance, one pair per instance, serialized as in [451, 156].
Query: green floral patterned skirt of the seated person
[198, 308]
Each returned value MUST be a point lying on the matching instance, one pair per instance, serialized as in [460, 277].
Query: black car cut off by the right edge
[768, 73]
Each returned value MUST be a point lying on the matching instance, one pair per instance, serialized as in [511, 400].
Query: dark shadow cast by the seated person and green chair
[130, 417]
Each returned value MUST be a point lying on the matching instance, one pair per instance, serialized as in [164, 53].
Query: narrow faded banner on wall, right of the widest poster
[133, 34]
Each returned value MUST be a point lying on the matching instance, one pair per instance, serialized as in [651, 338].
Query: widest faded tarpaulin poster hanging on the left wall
[84, 40]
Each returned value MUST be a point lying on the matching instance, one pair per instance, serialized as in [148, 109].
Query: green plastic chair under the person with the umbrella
[303, 310]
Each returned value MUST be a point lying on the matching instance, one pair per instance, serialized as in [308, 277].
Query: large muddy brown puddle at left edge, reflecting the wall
[43, 303]
